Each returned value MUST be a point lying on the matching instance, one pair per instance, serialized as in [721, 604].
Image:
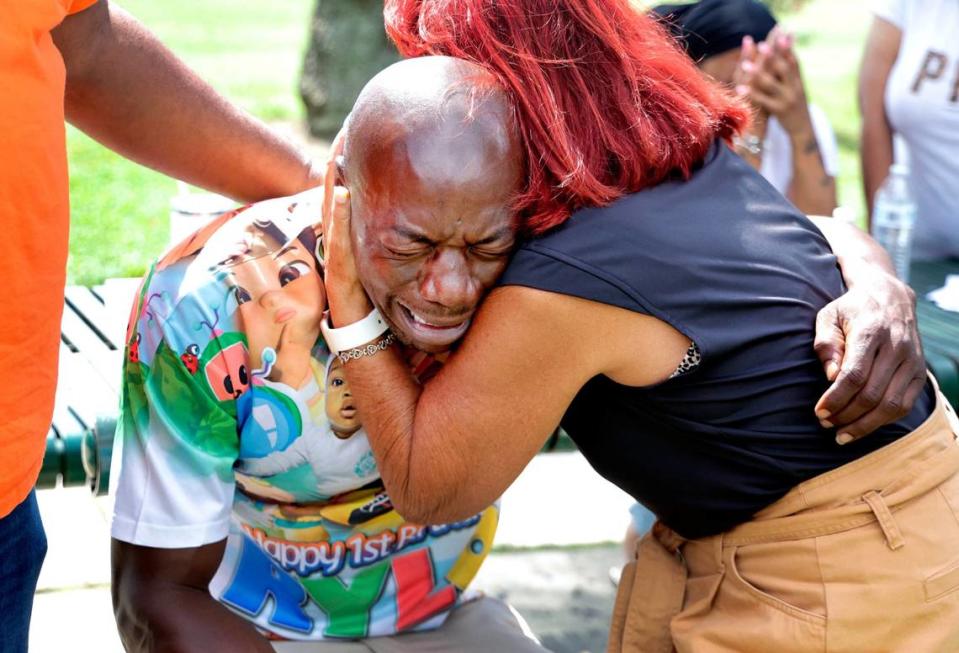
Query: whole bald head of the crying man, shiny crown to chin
[433, 164]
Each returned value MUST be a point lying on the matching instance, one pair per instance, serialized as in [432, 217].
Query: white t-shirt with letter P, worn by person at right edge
[922, 104]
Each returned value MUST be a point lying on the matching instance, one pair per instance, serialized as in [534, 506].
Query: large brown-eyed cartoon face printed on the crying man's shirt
[280, 298]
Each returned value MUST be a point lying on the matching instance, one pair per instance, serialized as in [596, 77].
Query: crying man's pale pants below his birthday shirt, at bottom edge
[484, 625]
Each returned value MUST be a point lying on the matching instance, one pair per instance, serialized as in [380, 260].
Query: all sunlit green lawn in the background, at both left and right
[251, 51]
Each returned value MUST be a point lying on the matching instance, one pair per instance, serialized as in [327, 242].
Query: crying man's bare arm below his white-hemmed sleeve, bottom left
[162, 604]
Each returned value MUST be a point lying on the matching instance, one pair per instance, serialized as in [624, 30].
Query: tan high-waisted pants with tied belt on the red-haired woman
[864, 558]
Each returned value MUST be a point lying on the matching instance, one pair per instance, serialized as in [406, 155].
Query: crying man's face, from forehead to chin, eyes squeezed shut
[432, 232]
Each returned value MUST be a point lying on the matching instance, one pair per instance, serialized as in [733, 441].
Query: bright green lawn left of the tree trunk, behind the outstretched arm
[249, 50]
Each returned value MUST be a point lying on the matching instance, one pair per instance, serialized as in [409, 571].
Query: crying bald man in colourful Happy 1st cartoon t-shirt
[208, 556]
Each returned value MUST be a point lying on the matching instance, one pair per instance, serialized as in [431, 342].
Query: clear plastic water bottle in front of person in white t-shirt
[893, 218]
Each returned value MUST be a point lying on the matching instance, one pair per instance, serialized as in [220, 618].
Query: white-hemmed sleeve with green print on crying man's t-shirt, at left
[177, 444]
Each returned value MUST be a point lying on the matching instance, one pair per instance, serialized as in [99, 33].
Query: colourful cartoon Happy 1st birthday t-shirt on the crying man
[237, 423]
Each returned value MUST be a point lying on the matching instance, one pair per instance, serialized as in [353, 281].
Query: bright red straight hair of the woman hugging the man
[606, 102]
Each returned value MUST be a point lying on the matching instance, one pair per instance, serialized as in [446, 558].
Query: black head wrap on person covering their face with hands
[711, 27]
